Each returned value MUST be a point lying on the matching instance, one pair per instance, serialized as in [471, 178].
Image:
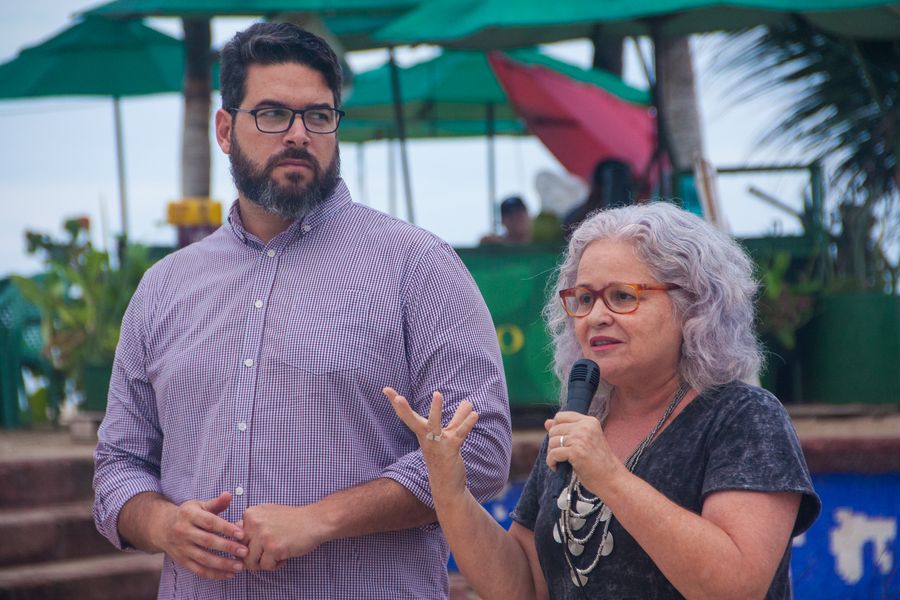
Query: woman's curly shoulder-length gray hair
[715, 303]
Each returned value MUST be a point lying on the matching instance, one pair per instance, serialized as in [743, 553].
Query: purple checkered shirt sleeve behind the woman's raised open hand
[452, 348]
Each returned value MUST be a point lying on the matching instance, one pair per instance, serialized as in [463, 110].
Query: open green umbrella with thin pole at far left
[98, 57]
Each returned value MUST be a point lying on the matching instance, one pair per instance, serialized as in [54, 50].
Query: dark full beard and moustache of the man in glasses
[294, 200]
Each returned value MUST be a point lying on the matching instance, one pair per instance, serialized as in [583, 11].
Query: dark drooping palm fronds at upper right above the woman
[845, 110]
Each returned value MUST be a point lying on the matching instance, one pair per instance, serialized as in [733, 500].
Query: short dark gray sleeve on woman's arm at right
[757, 449]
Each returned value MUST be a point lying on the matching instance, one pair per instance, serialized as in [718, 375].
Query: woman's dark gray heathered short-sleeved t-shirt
[734, 437]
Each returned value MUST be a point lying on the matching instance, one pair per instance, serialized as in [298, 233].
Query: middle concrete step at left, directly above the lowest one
[48, 533]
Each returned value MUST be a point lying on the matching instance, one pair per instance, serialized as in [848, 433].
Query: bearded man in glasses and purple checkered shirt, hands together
[247, 436]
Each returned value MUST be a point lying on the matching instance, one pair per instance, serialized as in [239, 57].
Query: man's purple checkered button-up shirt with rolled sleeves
[258, 368]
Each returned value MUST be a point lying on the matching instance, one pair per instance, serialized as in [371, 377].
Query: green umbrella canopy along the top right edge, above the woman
[516, 23]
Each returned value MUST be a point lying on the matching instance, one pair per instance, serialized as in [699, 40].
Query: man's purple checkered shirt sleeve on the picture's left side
[128, 453]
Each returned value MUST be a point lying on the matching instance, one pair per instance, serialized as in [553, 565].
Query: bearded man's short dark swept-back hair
[270, 44]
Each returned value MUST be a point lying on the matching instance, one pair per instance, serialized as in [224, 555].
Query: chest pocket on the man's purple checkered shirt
[327, 333]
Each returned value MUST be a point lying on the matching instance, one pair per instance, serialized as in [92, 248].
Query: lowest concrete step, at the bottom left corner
[114, 577]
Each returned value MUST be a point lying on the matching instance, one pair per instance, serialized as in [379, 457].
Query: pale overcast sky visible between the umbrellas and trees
[58, 154]
